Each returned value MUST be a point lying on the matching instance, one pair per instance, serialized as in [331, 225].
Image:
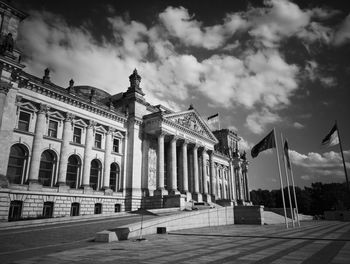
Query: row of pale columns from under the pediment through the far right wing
[237, 185]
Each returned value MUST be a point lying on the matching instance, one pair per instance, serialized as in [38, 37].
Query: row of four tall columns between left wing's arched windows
[66, 138]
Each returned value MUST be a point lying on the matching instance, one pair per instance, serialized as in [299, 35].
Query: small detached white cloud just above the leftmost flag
[258, 121]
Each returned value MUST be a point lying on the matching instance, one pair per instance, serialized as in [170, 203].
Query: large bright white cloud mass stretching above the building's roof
[258, 78]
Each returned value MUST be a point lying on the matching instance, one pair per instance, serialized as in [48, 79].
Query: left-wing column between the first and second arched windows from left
[37, 144]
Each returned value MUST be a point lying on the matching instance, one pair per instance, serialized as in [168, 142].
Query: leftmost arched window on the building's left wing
[17, 164]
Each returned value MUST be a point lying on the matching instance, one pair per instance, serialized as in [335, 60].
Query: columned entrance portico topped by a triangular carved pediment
[183, 142]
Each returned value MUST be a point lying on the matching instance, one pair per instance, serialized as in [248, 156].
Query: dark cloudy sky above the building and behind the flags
[259, 64]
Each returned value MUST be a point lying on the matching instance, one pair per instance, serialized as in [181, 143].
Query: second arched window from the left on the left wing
[47, 168]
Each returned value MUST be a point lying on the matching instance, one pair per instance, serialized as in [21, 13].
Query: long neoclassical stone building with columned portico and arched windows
[78, 150]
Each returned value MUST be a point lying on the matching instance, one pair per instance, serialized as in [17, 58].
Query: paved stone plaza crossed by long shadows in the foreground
[313, 242]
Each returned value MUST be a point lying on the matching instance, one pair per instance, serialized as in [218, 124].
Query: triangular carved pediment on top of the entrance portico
[191, 120]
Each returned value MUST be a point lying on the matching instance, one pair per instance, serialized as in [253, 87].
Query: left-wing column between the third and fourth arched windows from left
[89, 141]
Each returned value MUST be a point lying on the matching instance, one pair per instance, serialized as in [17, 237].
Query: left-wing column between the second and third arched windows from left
[67, 136]
